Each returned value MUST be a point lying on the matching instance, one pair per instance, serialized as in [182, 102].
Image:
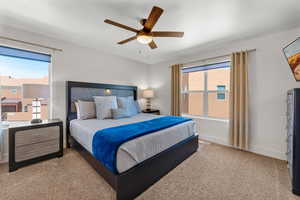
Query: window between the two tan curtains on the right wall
[205, 90]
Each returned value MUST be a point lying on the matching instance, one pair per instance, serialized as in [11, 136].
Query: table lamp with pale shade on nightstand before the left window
[35, 92]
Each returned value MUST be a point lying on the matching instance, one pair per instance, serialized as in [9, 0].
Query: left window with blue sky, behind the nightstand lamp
[20, 68]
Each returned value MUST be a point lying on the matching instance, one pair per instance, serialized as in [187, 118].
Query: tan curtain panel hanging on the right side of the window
[238, 131]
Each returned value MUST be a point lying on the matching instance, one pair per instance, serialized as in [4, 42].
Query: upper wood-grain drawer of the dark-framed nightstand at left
[33, 136]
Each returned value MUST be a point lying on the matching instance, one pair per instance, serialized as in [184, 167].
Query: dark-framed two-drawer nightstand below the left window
[31, 143]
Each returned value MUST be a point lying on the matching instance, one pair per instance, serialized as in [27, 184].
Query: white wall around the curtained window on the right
[269, 80]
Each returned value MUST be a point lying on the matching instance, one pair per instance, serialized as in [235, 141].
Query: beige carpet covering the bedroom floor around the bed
[213, 173]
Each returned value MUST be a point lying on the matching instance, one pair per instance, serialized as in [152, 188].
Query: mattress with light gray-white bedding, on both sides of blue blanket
[137, 150]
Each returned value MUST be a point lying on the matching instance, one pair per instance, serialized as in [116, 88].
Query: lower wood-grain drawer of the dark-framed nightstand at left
[26, 152]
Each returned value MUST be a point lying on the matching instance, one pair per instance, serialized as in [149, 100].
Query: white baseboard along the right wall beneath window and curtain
[254, 149]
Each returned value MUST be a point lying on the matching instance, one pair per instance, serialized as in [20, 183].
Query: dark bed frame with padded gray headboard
[131, 183]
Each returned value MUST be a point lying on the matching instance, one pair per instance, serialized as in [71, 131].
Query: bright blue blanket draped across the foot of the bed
[107, 141]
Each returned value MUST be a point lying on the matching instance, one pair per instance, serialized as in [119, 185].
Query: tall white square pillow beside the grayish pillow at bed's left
[104, 105]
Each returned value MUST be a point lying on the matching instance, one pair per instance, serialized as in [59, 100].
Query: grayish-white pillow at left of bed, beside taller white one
[85, 109]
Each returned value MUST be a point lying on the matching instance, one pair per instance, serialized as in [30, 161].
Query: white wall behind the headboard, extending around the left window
[77, 63]
